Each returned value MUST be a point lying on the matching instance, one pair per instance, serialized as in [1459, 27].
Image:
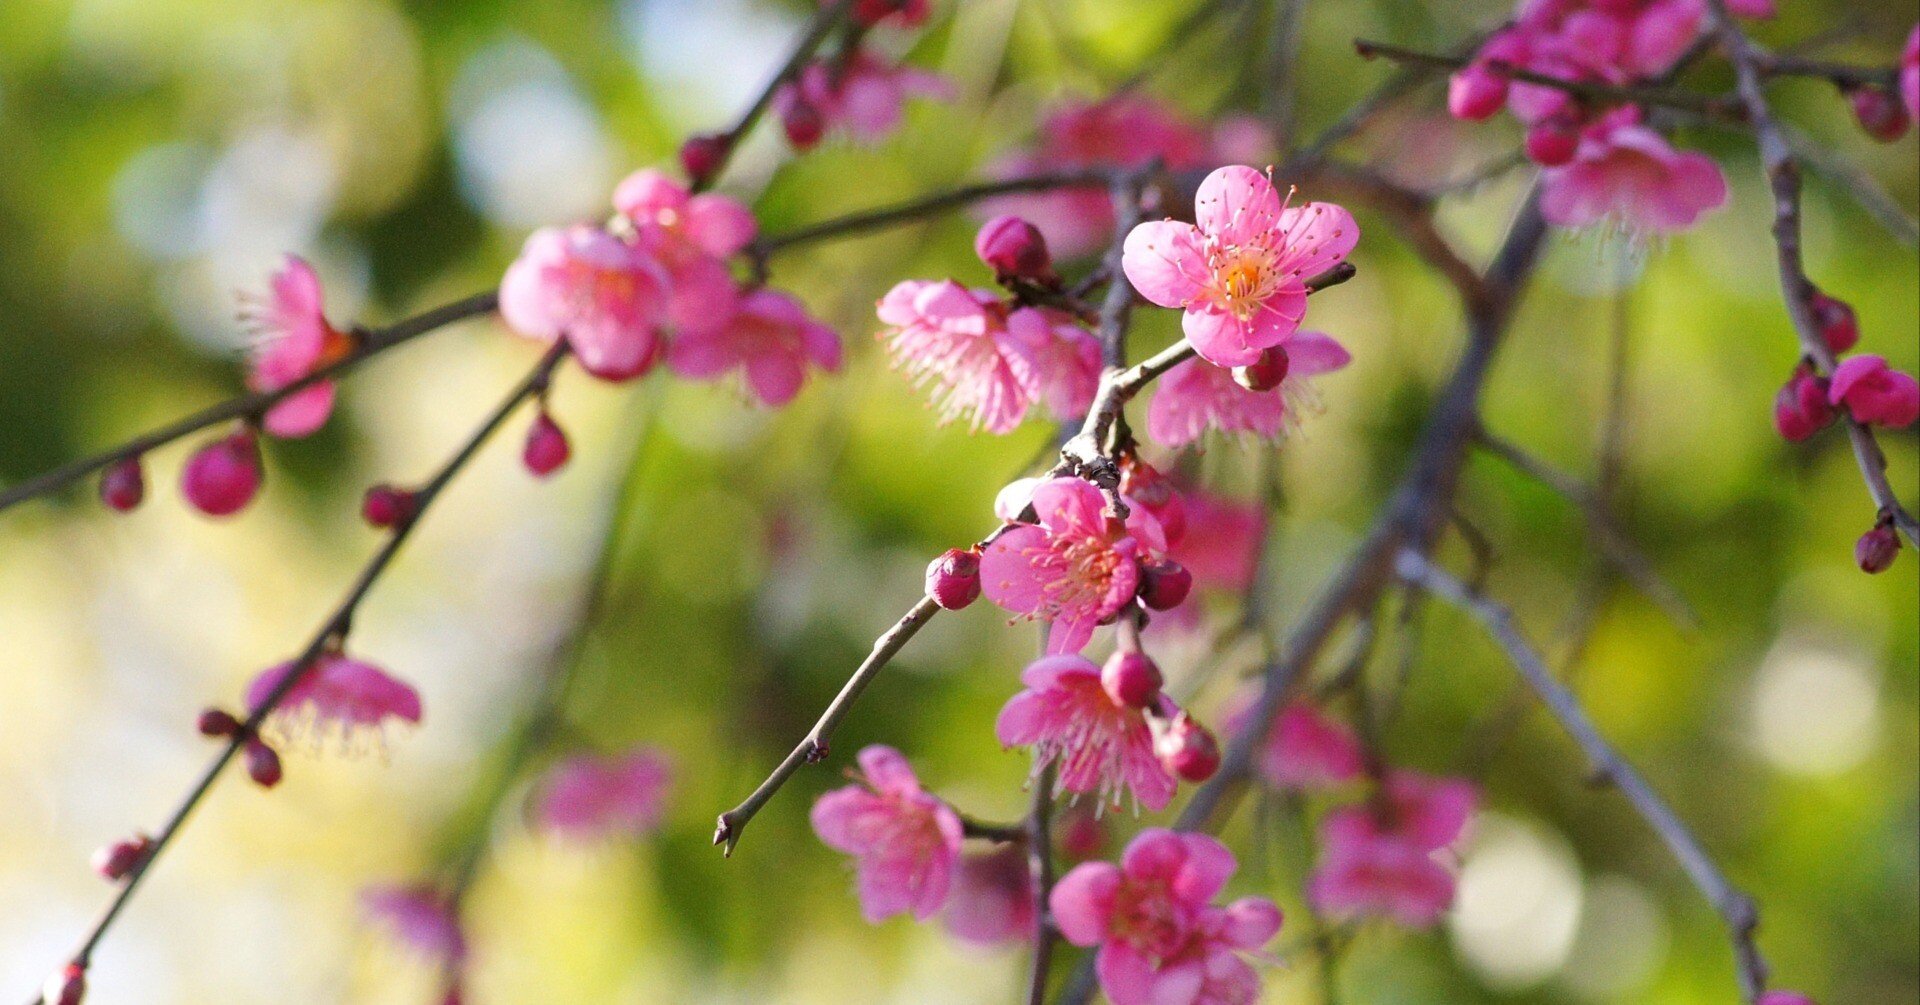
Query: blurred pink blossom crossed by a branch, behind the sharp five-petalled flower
[1124, 132]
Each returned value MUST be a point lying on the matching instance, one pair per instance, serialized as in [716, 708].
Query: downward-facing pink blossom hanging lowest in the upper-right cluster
[1625, 172]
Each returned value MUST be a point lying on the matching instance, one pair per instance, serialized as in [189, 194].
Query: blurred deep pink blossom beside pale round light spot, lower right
[1383, 862]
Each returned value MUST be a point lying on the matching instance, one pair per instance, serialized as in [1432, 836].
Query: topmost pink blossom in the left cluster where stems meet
[692, 237]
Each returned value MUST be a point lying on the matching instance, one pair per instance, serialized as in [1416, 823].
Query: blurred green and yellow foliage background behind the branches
[160, 155]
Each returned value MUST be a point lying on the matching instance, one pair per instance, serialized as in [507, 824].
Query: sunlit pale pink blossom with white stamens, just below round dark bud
[984, 362]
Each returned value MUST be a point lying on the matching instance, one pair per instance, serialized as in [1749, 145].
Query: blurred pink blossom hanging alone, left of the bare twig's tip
[588, 798]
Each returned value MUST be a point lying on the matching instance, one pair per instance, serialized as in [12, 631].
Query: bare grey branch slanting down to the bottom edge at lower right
[1737, 910]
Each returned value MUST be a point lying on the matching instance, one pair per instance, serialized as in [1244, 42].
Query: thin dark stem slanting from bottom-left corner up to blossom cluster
[331, 633]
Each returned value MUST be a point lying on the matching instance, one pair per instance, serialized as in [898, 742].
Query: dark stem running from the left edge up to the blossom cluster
[251, 406]
